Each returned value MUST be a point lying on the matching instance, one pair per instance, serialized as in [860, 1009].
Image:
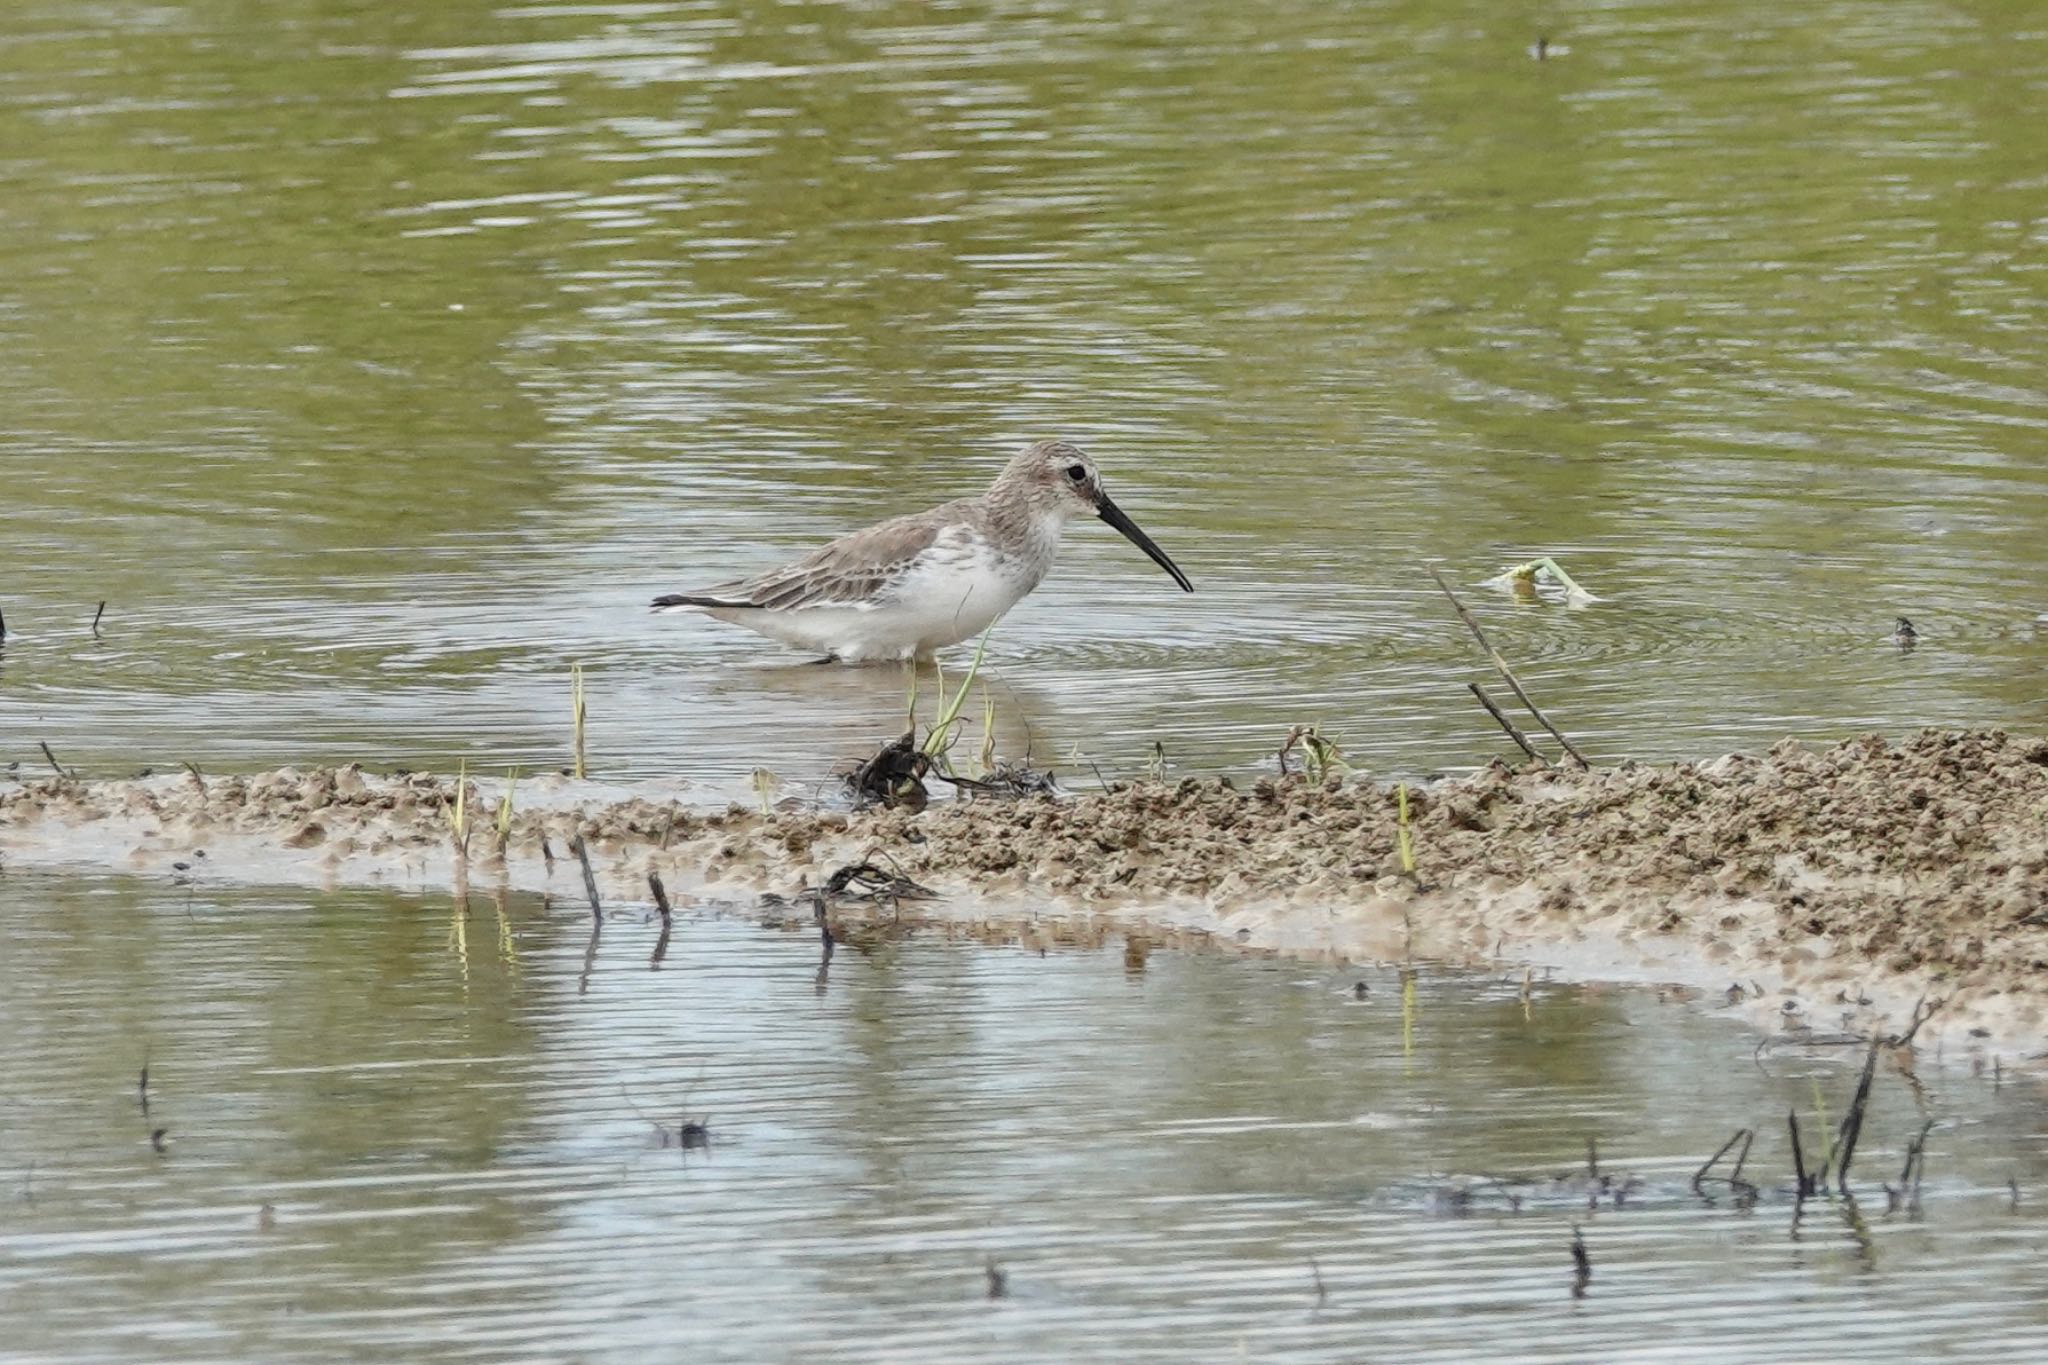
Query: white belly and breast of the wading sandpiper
[931, 607]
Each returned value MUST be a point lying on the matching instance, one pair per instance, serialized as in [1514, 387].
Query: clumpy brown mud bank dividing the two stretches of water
[1830, 887]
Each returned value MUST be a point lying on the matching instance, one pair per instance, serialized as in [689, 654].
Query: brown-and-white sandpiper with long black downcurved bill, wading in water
[916, 584]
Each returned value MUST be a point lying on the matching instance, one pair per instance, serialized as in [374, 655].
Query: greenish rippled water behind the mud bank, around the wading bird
[380, 361]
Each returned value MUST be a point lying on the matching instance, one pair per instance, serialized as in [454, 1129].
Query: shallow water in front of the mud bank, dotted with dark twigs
[458, 1127]
